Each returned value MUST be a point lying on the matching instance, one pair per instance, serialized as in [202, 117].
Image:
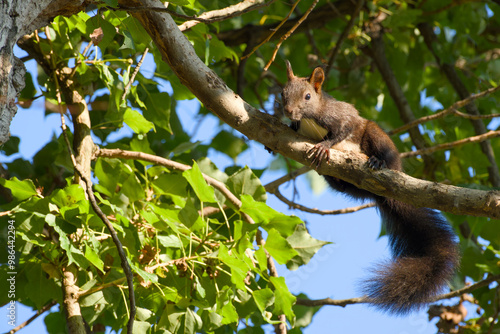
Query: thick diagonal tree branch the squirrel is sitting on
[268, 130]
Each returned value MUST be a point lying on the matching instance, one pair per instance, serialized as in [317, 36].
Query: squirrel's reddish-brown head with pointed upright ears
[302, 96]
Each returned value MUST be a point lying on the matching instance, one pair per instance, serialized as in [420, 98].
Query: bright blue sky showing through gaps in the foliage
[334, 272]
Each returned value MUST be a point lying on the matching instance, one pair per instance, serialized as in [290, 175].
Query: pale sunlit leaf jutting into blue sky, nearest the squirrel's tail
[305, 245]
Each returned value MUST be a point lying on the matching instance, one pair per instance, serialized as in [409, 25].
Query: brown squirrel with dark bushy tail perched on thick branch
[423, 244]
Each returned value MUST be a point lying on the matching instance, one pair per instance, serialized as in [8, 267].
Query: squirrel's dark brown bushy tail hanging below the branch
[425, 256]
